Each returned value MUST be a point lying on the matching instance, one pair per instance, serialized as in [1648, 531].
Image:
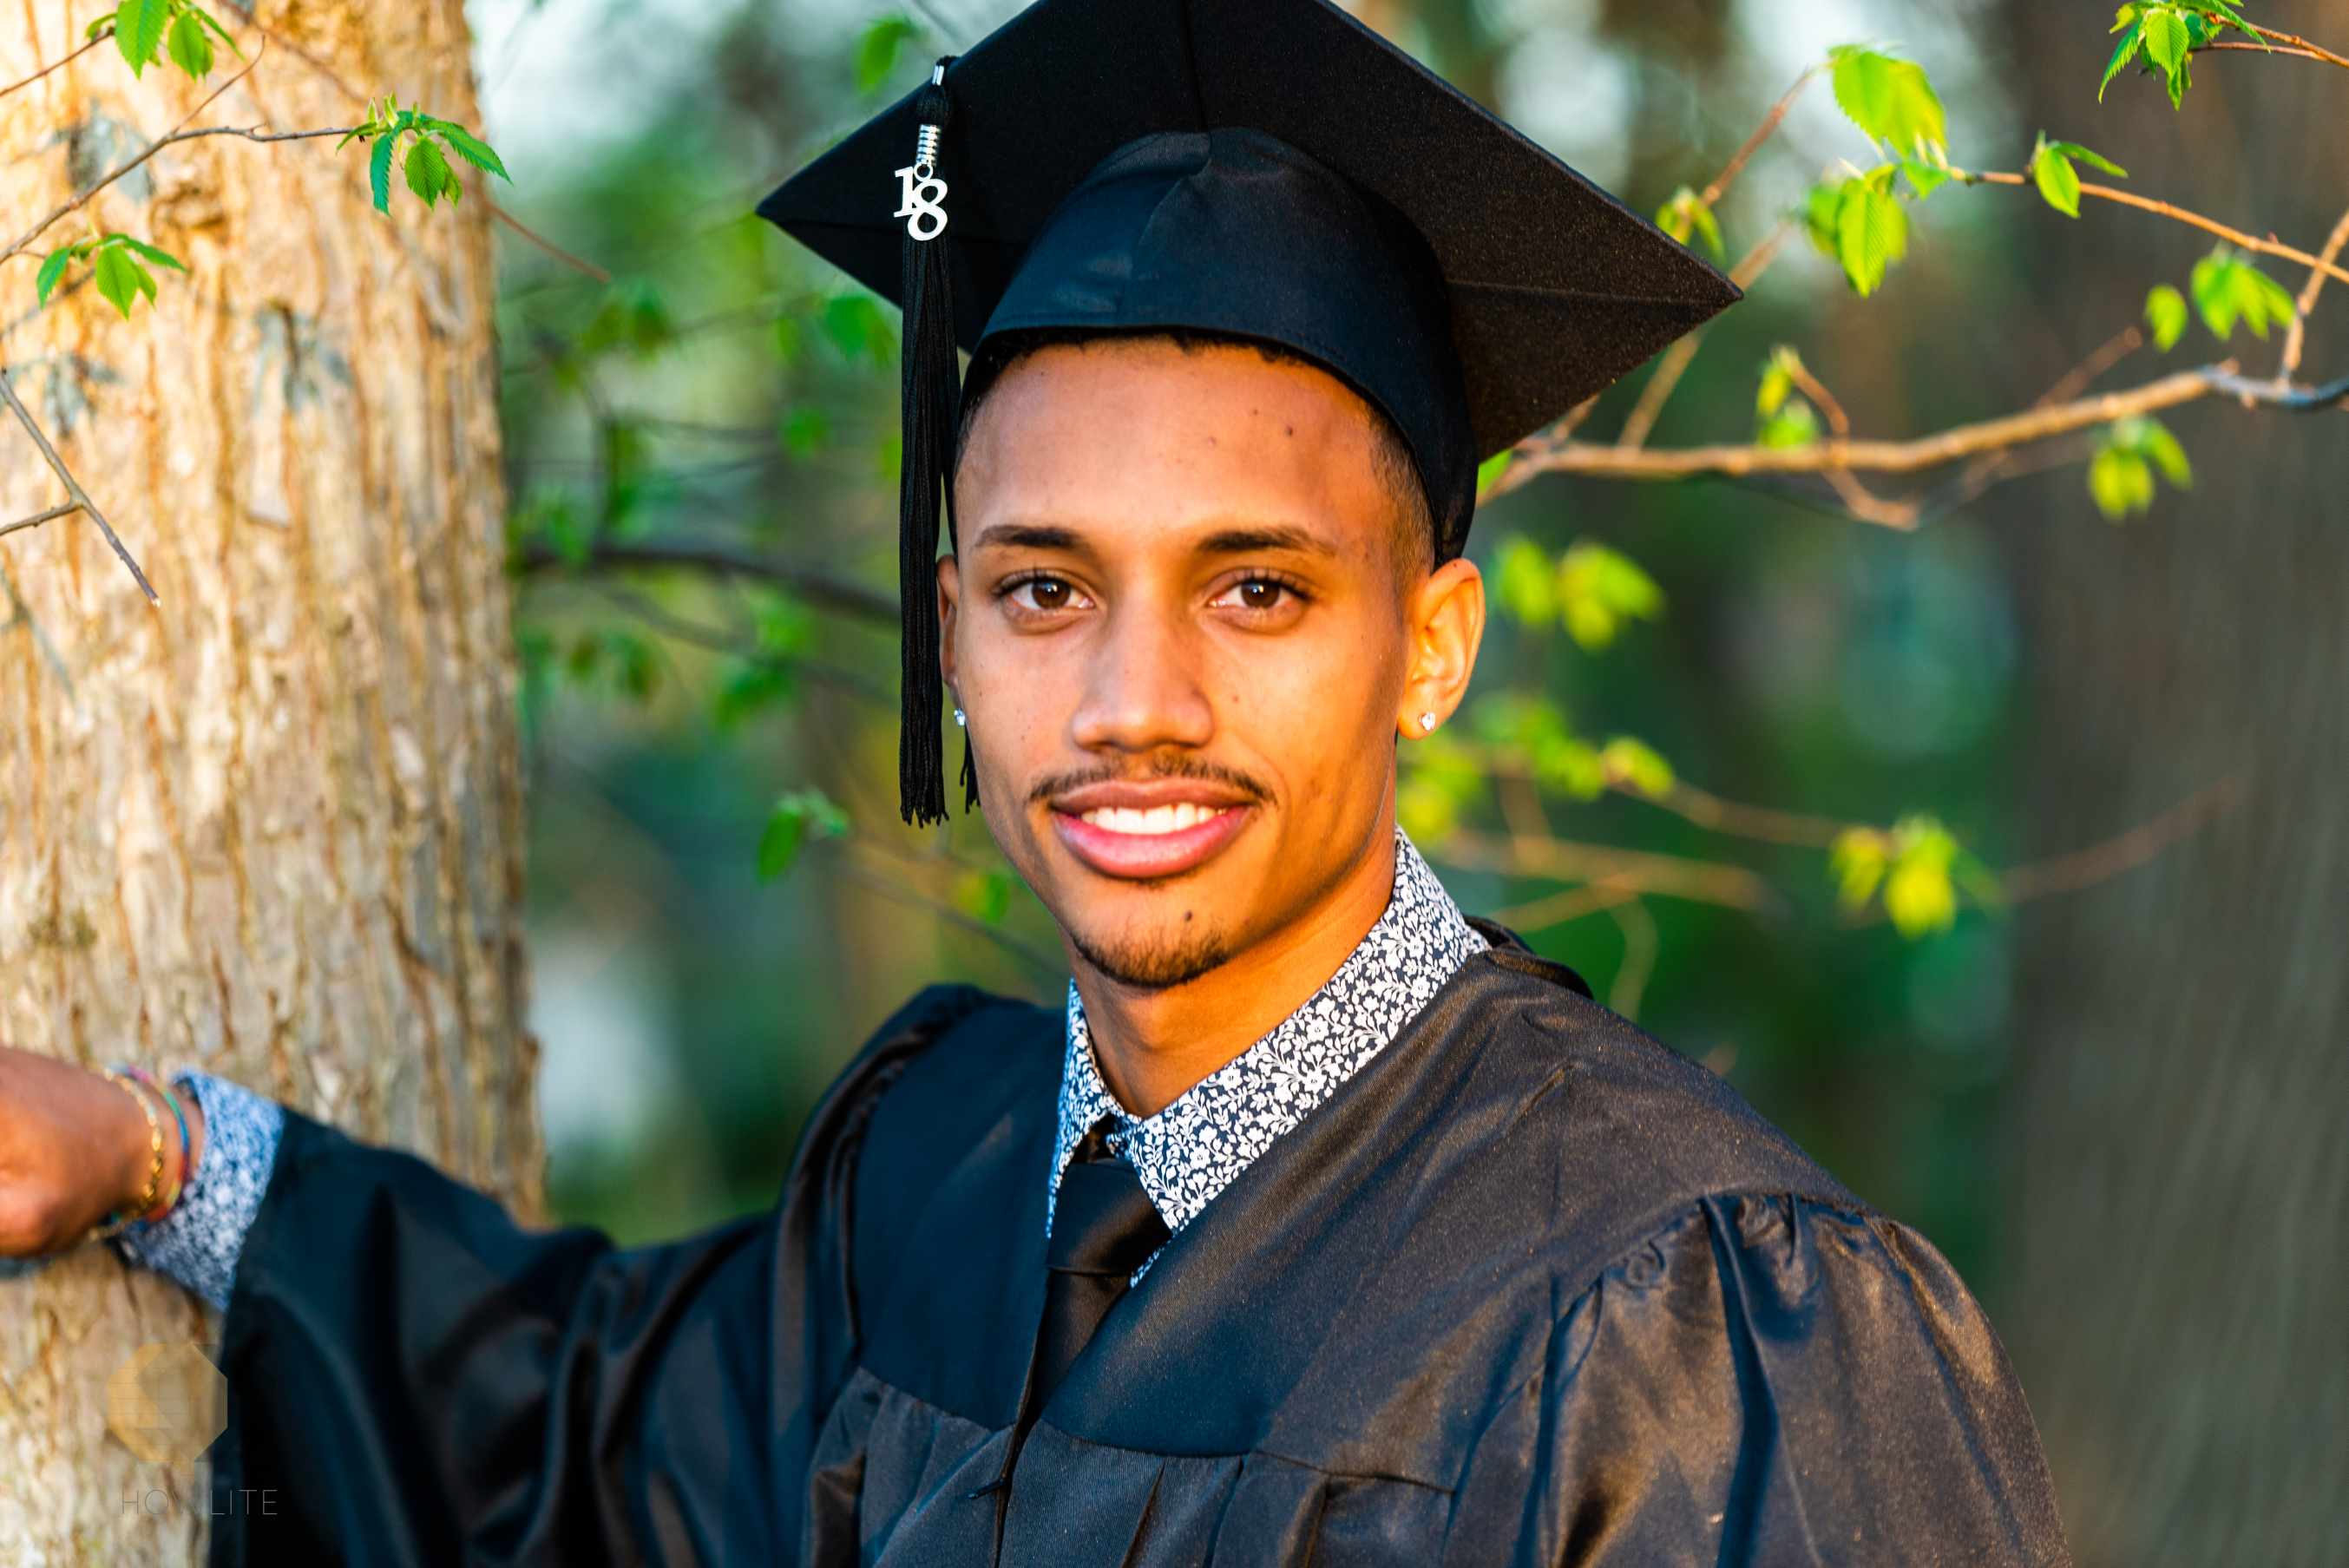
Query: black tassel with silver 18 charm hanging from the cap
[931, 396]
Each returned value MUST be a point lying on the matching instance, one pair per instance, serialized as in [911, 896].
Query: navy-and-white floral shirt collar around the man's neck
[1209, 1135]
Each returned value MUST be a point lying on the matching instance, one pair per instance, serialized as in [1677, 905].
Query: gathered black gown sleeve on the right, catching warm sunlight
[1779, 1381]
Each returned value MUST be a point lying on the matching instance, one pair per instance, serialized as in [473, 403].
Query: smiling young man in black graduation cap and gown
[1324, 1222]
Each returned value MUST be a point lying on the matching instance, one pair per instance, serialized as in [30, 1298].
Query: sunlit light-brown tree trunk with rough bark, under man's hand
[269, 825]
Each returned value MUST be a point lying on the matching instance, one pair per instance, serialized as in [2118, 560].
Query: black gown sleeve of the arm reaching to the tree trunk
[419, 1379]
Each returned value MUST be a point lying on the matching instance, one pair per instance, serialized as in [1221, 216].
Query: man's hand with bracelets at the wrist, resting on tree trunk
[74, 1149]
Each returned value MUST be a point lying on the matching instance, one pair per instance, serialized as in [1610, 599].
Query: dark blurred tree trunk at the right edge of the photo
[2176, 1283]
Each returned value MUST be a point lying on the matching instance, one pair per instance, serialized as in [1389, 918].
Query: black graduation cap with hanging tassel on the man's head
[1263, 170]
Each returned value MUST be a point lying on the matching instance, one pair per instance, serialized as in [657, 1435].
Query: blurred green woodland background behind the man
[2085, 1025]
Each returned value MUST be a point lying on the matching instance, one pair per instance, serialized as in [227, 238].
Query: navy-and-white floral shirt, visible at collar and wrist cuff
[1185, 1156]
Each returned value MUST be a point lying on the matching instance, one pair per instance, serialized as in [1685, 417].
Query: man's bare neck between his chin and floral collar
[1155, 1043]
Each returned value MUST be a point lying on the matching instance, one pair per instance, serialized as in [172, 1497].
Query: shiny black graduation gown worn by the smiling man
[1528, 1290]
